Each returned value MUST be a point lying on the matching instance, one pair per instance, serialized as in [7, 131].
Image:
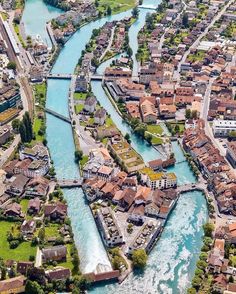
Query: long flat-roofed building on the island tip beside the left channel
[110, 230]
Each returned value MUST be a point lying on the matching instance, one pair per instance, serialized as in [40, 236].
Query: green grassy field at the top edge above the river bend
[116, 6]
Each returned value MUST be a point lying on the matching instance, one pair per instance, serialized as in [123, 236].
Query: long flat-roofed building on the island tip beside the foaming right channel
[146, 237]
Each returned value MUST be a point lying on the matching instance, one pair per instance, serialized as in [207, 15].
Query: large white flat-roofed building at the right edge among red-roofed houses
[222, 128]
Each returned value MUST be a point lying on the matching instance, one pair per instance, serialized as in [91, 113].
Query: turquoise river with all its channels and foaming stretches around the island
[172, 262]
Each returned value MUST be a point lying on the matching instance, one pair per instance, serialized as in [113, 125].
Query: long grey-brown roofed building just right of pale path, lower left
[55, 253]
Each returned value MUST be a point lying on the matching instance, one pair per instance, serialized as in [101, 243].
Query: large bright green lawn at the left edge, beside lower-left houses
[22, 252]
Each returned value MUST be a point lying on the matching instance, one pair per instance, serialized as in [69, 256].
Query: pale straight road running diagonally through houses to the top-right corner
[176, 75]
